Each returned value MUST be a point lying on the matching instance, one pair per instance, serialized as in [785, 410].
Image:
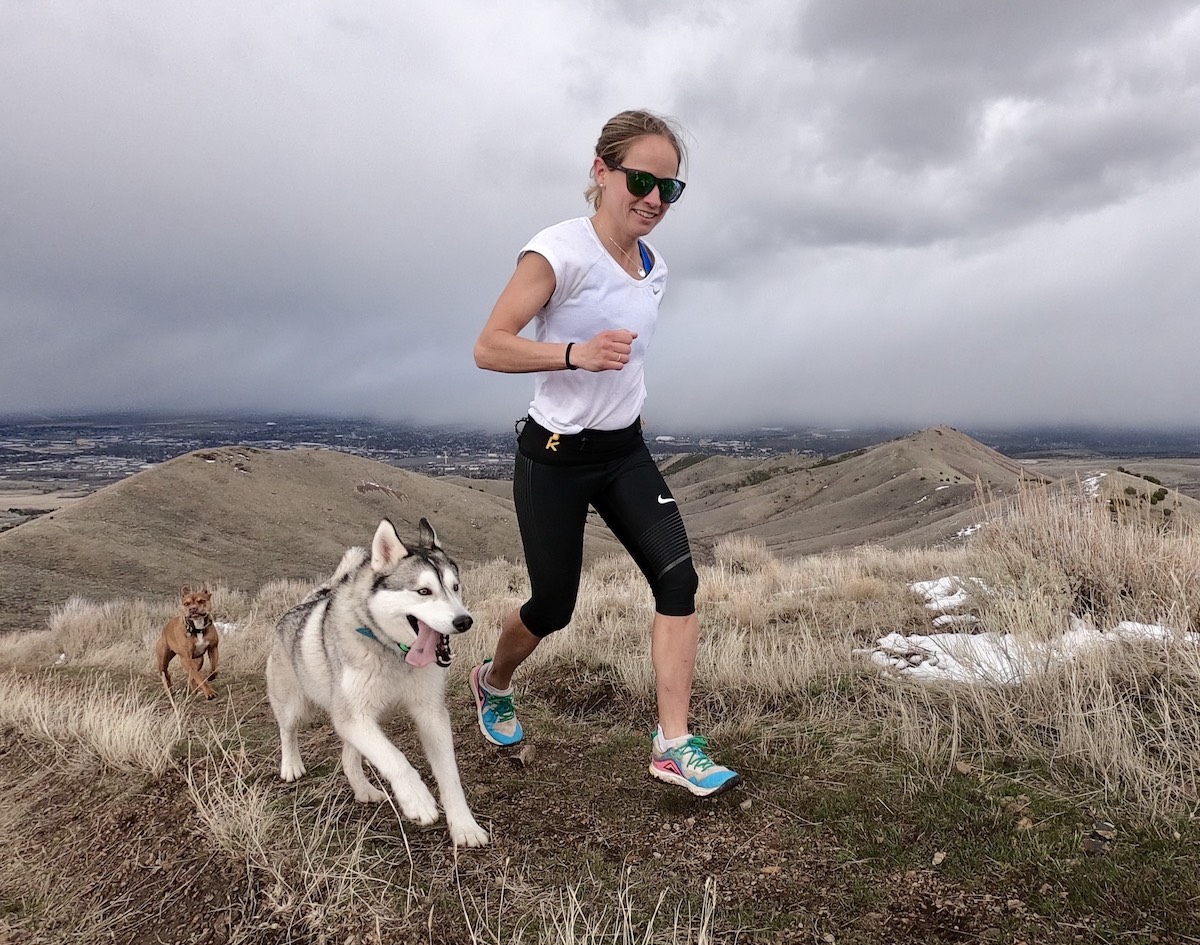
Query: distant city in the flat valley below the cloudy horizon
[93, 452]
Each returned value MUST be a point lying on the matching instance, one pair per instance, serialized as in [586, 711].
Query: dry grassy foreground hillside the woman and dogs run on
[875, 809]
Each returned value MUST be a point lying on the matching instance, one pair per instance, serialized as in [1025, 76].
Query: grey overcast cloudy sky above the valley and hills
[975, 214]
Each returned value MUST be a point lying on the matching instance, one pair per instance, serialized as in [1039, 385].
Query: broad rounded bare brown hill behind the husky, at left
[242, 517]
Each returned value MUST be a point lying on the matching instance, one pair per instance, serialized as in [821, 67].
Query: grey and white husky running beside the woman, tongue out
[376, 637]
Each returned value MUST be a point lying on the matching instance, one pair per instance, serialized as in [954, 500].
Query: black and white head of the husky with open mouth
[416, 586]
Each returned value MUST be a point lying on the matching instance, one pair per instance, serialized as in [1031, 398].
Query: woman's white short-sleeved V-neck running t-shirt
[592, 293]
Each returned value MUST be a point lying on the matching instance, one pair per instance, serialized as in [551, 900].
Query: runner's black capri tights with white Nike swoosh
[633, 499]
